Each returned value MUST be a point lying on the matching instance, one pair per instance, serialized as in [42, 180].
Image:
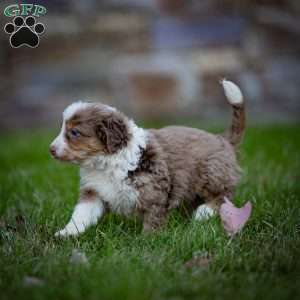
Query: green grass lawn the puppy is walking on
[37, 195]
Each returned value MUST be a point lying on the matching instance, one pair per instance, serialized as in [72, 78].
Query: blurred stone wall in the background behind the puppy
[155, 60]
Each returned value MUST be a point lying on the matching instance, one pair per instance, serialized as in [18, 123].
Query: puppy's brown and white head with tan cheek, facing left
[90, 129]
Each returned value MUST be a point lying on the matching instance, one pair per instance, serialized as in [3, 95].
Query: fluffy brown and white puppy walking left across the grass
[130, 170]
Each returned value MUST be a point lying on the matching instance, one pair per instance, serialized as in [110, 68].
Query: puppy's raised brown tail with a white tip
[235, 98]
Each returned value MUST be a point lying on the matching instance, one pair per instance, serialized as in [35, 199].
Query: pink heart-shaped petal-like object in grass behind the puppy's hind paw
[234, 218]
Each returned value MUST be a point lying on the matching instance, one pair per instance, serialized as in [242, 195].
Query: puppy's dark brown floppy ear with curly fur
[113, 133]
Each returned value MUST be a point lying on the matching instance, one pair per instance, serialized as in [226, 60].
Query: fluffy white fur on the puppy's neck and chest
[107, 175]
